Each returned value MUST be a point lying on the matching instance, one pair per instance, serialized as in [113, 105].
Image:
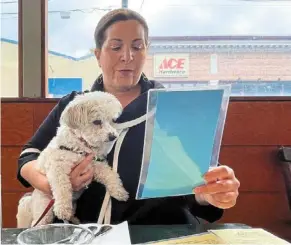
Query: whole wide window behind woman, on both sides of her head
[193, 42]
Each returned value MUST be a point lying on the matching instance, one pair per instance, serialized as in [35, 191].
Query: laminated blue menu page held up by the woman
[182, 139]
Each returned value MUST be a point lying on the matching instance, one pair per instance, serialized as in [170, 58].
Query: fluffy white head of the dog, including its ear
[91, 116]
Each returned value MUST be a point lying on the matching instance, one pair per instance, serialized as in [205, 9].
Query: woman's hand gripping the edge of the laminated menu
[221, 188]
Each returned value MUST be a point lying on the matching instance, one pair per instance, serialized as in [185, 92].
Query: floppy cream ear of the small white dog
[74, 115]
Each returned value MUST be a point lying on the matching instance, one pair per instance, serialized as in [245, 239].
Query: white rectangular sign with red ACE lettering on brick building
[171, 65]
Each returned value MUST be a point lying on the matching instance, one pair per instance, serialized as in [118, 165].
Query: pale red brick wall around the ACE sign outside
[234, 66]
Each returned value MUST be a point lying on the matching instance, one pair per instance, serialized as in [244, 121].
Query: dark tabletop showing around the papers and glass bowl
[142, 234]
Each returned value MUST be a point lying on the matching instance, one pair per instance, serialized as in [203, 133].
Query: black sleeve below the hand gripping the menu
[207, 212]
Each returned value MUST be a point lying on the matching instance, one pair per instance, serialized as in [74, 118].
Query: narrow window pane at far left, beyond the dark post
[9, 48]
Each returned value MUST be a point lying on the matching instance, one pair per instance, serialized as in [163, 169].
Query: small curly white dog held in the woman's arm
[86, 126]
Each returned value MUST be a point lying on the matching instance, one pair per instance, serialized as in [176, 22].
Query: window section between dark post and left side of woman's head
[71, 61]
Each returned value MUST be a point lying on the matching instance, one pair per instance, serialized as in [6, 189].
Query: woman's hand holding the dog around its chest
[82, 175]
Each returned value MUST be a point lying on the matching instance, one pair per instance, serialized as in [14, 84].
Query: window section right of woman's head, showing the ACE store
[243, 43]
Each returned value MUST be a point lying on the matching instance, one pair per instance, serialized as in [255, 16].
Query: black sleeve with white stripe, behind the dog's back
[42, 136]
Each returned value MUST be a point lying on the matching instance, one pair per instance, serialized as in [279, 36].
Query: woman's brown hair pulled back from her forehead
[115, 16]
